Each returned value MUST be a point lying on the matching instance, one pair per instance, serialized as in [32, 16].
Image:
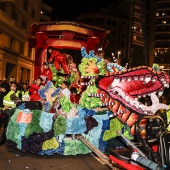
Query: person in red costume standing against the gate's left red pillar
[46, 74]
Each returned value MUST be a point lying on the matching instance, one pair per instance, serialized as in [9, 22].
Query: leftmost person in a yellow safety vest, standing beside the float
[12, 97]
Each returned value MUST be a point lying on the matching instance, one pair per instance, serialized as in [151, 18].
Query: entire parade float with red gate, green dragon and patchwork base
[110, 96]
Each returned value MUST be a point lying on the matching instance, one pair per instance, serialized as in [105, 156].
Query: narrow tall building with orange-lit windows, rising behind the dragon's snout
[136, 53]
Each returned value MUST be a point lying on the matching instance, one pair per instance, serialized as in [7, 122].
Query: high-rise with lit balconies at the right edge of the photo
[162, 34]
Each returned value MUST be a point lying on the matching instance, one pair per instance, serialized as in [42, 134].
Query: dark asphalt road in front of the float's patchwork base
[17, 160]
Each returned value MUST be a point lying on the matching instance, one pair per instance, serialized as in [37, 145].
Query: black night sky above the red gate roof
[69, 9]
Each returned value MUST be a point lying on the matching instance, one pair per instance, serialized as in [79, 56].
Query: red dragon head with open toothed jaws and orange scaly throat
[120, 89]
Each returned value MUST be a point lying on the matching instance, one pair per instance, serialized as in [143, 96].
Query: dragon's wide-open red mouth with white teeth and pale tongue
[126, 87]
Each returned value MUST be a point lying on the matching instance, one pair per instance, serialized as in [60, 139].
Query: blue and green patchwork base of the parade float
[39, 133]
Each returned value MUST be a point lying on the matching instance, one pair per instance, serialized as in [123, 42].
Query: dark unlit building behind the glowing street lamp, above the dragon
[118, 30]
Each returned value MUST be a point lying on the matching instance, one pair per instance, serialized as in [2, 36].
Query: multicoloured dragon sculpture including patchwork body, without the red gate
[110, 91]
